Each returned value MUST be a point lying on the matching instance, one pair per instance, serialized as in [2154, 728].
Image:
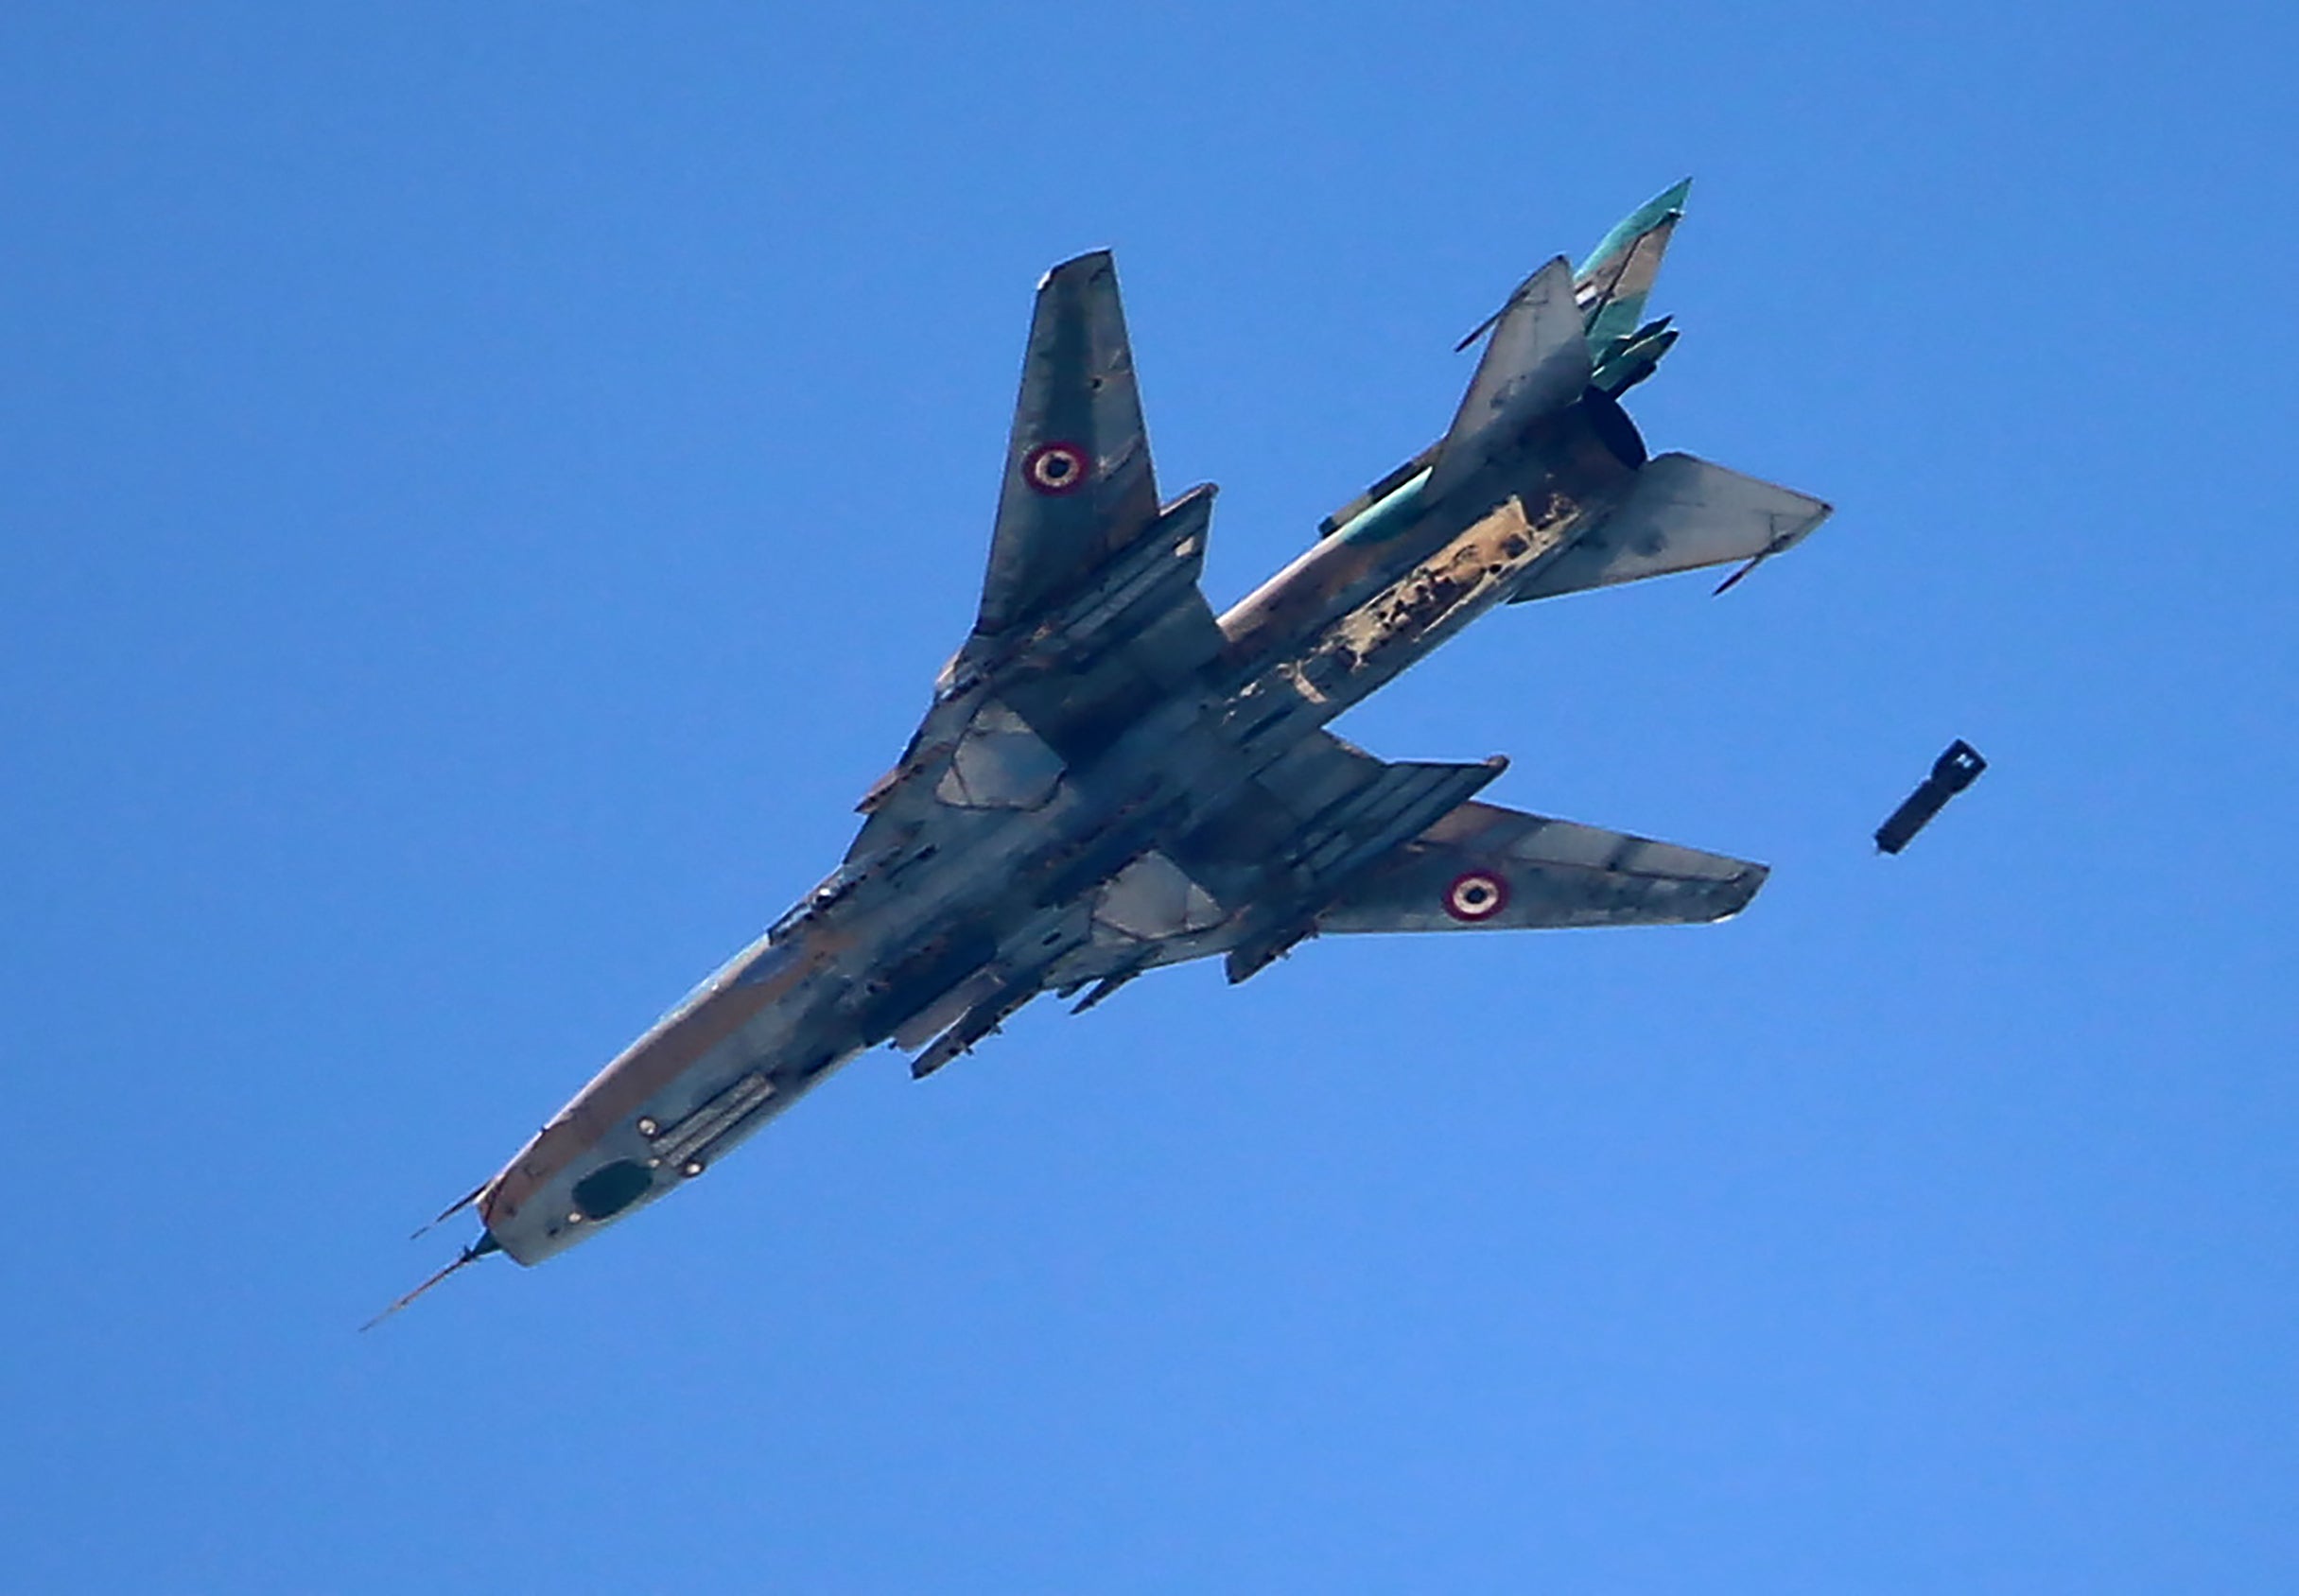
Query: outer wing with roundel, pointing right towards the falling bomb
[1491, 868]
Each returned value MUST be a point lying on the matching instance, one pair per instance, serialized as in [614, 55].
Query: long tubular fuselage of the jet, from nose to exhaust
[884, 942]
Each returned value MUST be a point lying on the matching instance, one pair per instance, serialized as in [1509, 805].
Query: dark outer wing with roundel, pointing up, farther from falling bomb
[1077, 479]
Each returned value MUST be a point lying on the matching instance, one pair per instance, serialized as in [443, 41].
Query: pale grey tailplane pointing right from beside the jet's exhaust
[1682, 514]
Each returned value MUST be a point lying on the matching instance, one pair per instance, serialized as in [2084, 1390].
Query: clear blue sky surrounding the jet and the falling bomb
[484, 489]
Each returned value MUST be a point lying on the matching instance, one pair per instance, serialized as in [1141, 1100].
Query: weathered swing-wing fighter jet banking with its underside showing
[1112, 778]
